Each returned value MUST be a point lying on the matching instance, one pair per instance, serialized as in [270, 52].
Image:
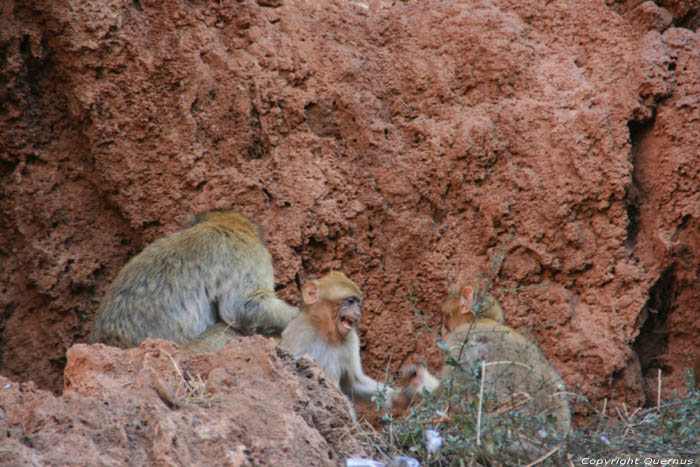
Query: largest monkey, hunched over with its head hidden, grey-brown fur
[217, 270]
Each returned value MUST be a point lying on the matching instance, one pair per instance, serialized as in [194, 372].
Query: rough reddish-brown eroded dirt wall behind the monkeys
[403, 143]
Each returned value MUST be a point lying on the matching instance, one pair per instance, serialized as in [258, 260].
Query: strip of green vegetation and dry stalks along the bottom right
[663, 435]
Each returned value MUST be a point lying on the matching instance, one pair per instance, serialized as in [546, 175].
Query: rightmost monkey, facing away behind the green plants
[513, 365]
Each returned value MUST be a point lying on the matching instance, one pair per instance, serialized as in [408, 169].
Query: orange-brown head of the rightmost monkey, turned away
[468, 305]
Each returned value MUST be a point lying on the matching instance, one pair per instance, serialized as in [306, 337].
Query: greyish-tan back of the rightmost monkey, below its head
[513, 365]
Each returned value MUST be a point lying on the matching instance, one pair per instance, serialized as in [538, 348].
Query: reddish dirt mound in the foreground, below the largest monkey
[250, 403]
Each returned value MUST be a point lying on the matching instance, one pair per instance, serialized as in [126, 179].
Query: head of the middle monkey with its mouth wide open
[334, 303]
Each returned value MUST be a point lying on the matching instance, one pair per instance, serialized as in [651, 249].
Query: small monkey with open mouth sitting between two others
[326, 328]
